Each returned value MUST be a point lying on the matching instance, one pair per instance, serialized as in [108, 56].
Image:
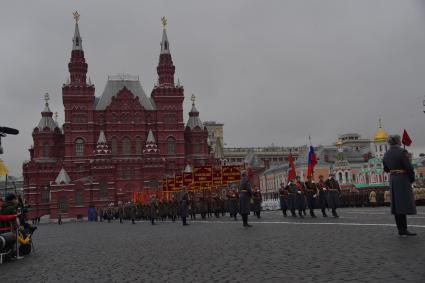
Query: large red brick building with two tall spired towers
[114, 145]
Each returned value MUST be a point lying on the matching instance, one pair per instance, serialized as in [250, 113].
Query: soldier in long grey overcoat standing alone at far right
[397, 164]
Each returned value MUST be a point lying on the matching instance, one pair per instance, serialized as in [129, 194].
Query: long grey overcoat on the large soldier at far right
[402, 200]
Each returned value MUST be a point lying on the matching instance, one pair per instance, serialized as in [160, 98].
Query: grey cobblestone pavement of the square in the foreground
[361, 246]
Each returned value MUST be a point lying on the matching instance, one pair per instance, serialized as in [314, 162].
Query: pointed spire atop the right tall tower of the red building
[165, 67]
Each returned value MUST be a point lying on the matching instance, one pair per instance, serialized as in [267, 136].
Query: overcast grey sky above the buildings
[271, 71]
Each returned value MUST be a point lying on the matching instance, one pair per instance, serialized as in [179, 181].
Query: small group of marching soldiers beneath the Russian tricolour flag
[298, 195]
